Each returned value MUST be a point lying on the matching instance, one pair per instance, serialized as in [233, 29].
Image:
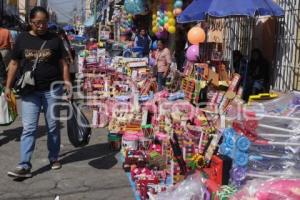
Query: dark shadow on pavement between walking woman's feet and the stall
[100, 155]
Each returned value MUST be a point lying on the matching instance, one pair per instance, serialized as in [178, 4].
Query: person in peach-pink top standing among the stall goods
[163, 62]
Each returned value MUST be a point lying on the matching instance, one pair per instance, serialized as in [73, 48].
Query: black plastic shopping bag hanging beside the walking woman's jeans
[79, 130]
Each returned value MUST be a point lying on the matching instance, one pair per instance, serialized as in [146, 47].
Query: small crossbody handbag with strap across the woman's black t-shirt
[26, 83]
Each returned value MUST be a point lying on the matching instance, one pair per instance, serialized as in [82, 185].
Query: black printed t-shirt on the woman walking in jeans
[48, 68]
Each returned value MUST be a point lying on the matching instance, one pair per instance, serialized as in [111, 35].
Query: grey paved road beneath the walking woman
[92, 172]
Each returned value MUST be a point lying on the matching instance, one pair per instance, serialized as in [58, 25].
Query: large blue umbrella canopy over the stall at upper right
[198, 10]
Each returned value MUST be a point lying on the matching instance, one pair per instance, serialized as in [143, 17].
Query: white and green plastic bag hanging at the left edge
[8, 109]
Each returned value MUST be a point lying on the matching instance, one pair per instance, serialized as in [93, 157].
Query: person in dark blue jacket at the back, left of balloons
[144, 41]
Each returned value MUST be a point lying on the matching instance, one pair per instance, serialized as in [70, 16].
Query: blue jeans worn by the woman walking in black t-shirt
[31, 109]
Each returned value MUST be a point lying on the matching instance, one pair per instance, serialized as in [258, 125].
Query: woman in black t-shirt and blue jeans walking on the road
[50, 71]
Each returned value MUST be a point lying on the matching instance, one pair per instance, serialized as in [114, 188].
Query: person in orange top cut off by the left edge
[6, 43]
